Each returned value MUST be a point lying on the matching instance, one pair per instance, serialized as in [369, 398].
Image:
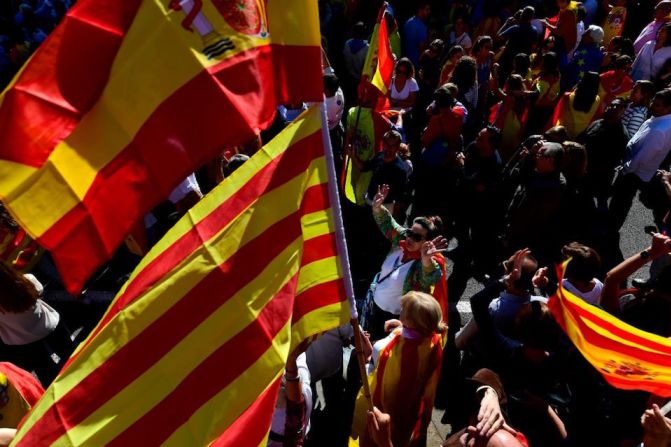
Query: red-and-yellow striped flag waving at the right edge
[627, 357]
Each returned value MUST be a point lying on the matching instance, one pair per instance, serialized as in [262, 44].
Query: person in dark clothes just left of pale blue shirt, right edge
[605, 141]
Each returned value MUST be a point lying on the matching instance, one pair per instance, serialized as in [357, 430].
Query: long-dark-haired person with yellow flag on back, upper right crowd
[577, 109]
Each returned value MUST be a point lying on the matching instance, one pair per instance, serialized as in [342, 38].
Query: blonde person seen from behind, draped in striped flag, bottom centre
[415, 334]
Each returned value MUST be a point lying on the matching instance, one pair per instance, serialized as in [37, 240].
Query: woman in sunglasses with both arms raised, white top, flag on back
[415, 263]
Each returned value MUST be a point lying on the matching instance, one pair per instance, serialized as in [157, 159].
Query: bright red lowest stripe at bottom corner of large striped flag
[245, 429]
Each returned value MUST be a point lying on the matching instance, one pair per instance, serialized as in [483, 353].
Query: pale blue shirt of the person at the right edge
[648, 148]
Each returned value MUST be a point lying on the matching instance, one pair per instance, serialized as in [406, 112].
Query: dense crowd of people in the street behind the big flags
[515, 135]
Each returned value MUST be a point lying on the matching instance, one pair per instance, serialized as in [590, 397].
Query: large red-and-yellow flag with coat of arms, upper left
[126, 98]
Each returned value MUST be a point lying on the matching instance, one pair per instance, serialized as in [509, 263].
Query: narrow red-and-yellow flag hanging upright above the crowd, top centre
[378, 67]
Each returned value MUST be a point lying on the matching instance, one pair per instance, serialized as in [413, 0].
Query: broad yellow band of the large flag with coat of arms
[137, 85]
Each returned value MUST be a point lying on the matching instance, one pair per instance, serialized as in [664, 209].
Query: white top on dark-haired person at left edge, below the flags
[31, 325]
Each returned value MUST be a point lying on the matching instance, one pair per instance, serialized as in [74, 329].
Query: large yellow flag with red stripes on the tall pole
[193, 347]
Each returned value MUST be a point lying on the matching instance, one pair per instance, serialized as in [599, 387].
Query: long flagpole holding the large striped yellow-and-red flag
[341, 245]
